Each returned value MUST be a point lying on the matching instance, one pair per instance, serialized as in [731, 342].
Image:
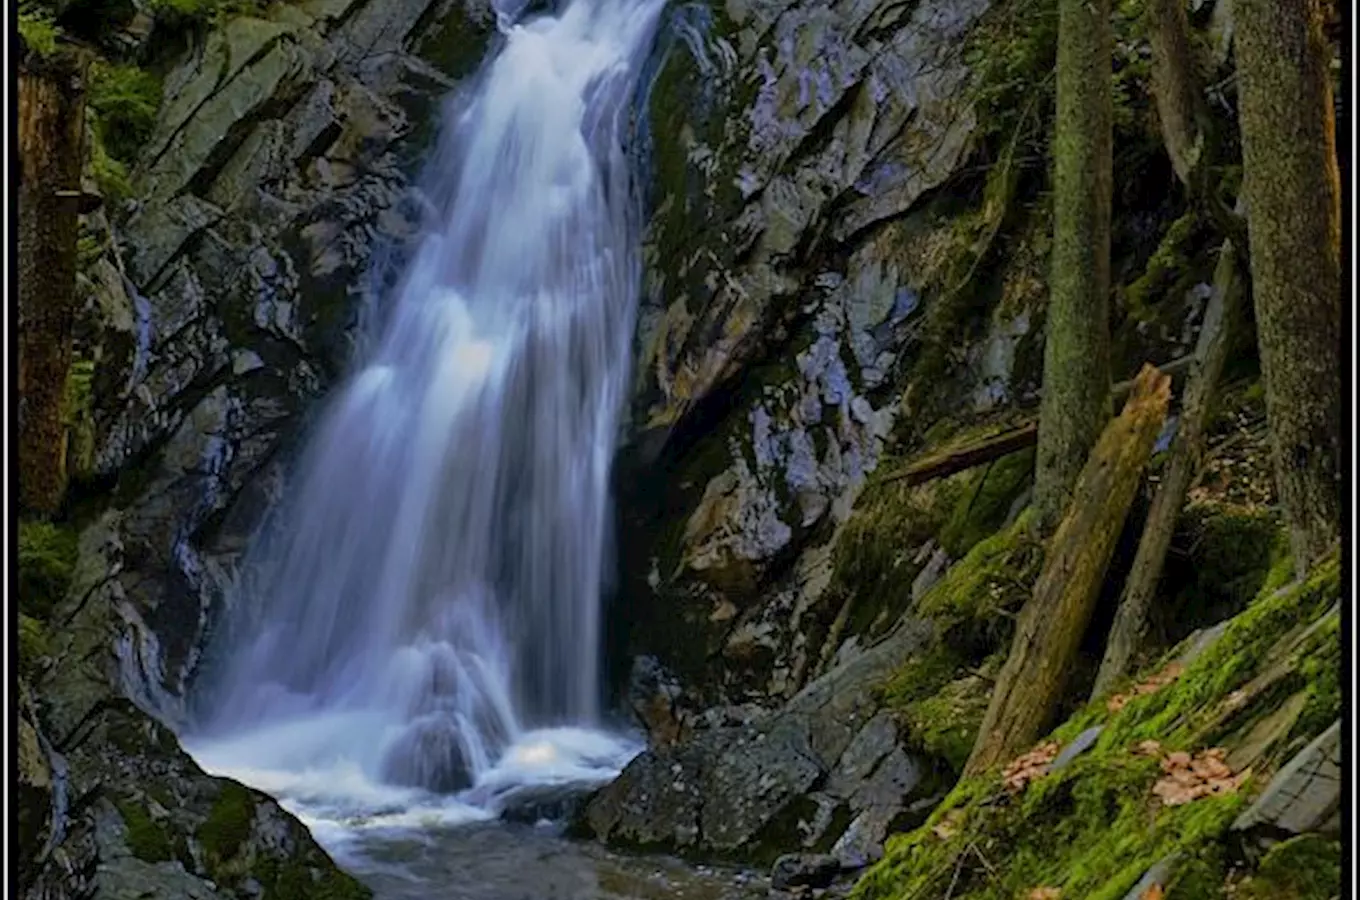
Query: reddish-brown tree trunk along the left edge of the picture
[51, 156]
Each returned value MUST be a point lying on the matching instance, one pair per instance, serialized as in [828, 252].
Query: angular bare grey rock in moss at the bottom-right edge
[1305, 795]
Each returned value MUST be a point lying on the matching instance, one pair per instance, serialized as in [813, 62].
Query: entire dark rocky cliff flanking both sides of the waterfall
[847, 254]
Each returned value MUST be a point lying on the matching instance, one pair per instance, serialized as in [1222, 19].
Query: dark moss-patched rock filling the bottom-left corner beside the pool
[129, 812]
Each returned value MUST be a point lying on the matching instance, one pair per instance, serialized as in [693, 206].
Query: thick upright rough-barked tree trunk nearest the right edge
[1293, 192]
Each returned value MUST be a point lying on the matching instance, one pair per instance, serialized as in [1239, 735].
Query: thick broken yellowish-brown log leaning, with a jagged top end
[1051, 626]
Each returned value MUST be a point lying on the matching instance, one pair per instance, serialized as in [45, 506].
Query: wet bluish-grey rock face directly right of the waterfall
[789, 145]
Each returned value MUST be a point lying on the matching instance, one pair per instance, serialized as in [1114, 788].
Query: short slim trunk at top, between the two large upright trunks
[1176, 85]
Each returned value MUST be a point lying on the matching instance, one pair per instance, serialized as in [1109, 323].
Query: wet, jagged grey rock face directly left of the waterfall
[277, 184]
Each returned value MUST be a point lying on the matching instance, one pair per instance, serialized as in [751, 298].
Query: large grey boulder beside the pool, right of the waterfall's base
[746, 791]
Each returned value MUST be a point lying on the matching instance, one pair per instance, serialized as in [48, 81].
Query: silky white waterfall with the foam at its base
[430, 608]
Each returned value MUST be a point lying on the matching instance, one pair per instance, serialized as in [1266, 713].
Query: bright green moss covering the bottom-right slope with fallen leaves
[1094, 827]
